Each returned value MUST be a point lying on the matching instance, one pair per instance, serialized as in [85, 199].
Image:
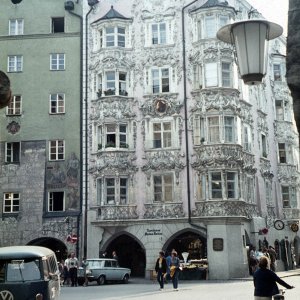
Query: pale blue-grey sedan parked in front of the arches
[103, 270]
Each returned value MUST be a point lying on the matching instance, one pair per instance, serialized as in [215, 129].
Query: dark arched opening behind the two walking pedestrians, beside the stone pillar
[190, 242]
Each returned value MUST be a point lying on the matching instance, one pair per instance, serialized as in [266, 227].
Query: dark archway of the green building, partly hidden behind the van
[57, 246]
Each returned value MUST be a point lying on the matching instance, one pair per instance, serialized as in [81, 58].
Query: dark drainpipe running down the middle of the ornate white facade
[185, 119]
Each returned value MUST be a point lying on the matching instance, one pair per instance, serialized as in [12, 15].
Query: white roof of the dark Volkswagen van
[17, 252]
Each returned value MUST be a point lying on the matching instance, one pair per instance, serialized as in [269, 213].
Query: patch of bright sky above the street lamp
[273, 10]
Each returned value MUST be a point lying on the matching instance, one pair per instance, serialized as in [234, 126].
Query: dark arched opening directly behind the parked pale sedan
[130, 254]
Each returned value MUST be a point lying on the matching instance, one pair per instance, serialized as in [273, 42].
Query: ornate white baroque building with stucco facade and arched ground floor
[181, 154]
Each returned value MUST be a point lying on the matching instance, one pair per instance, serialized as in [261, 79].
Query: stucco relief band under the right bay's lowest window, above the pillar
[225, 208]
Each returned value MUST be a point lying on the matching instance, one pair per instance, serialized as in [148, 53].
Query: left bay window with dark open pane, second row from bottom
[114, 135]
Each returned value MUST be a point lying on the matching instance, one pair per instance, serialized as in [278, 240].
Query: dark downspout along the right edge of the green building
[81, 122]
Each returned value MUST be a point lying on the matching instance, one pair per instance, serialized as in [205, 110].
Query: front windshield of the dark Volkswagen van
[20, 270]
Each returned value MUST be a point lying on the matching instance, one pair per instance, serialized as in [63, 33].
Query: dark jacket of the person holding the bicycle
[265, 283]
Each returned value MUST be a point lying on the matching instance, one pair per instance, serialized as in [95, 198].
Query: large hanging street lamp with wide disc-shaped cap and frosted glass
[249, 38]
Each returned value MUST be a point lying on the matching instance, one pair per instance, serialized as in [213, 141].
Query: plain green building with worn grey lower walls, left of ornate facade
[40, 132]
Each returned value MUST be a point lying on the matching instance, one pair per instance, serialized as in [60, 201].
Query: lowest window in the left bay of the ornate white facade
[115, 189]
